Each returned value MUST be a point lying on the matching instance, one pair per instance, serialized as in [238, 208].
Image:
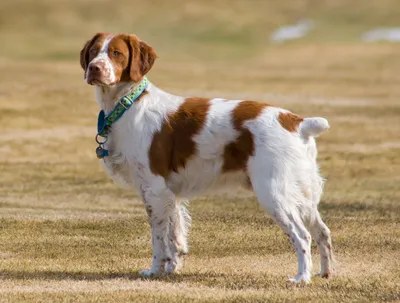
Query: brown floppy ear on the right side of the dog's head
[141, 58]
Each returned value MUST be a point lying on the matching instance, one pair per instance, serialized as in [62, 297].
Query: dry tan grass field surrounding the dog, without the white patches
[68, 234]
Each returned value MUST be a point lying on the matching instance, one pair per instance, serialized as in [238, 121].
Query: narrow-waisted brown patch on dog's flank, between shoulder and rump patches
[237, 153]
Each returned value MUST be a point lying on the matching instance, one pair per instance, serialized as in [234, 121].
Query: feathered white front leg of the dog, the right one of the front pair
[180, 222]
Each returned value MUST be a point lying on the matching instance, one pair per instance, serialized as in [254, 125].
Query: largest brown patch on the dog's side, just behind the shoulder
[173, 145]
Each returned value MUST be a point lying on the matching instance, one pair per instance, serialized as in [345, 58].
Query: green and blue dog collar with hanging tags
[104, 122]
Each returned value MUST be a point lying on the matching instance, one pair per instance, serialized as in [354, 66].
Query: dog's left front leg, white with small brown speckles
[158, 202]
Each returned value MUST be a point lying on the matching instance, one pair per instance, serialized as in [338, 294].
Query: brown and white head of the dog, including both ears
[108, 59]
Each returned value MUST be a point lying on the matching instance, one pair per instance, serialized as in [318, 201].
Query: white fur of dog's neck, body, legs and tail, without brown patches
[283, 173]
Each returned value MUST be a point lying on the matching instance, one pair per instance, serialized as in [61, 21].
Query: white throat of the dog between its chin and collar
[108, 96]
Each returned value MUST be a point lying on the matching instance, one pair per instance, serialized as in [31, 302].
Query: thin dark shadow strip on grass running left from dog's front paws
[99, 276]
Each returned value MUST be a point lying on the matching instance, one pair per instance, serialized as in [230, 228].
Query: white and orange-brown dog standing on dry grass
[171, 148]
